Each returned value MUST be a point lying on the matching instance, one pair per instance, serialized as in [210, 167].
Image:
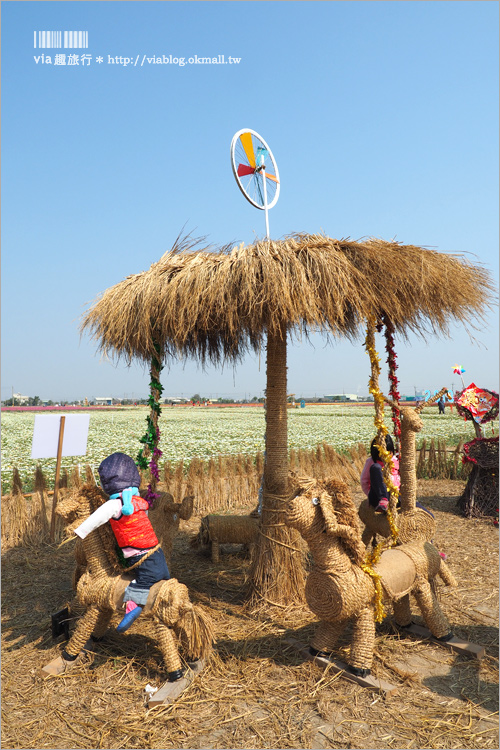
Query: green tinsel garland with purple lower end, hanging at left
[151, 438]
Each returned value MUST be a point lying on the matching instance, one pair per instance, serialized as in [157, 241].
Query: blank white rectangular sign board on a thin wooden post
[46, 435]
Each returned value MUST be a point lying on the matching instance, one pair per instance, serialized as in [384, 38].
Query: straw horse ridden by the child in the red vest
[101, 589]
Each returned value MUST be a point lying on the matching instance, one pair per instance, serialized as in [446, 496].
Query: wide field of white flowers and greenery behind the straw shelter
[203, 432]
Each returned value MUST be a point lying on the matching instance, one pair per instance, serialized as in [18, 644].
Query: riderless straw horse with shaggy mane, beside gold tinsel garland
[339, 589]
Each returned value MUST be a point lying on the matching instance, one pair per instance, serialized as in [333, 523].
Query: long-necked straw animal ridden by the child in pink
[413, 523]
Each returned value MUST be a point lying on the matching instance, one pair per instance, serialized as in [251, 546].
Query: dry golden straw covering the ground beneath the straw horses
[255, 691]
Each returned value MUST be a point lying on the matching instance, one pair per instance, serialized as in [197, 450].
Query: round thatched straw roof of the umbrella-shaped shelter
[216, 305]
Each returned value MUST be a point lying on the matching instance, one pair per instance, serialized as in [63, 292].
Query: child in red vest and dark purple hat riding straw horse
[127, 512]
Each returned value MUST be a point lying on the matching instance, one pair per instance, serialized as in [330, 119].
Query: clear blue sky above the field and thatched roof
[383, 118]
